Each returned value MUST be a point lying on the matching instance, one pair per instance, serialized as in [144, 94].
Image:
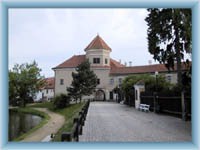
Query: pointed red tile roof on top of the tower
[98, 43]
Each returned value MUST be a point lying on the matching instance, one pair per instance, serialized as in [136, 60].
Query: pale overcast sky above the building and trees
[51, 36]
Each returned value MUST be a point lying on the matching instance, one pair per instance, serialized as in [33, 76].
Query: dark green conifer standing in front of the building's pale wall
[84, 81]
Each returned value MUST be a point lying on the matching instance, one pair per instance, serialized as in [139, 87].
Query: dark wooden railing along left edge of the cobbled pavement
[78, 124]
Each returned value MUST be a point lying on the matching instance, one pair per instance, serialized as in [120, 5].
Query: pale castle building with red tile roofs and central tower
[110, 72]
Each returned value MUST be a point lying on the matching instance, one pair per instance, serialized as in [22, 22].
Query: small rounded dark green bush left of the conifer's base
[61, 101]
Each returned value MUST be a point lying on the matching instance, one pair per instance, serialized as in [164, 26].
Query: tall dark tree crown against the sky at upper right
[169, 36]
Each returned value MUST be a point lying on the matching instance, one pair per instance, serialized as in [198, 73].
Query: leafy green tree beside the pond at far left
[24, 81]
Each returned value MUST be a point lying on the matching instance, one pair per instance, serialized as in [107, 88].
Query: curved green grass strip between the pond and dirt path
[44, 116]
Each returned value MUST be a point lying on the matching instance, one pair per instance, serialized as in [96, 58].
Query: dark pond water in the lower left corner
[20, 123]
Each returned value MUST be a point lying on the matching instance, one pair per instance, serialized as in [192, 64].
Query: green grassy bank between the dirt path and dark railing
[69, 113]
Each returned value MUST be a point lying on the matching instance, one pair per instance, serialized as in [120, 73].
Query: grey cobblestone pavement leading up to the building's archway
[113, 122]
